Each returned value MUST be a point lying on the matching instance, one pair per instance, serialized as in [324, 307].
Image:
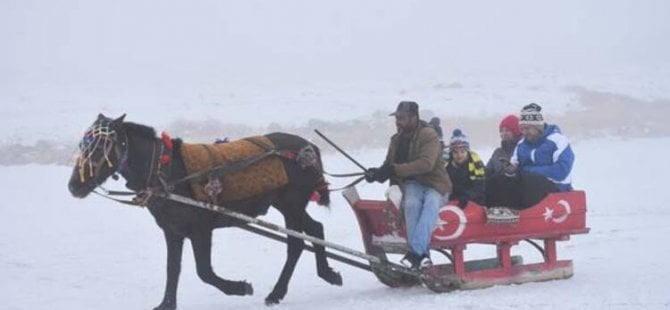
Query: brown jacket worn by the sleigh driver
[425, 163]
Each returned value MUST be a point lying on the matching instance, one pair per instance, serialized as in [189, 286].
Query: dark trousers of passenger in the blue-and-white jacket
[518, 192]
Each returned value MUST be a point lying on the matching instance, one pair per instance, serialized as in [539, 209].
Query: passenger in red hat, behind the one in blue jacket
[510, 134]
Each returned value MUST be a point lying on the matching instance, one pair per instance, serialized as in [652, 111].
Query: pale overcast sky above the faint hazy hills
[140, 43]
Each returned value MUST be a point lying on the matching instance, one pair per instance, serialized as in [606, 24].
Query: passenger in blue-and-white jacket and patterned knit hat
[541, 164]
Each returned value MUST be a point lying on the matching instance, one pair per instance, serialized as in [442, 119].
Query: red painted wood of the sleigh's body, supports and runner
[555, 218]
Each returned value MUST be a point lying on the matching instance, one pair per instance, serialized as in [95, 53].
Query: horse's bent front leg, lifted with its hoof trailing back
[202, 248]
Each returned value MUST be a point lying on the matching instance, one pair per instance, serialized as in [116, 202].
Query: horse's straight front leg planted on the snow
[175, 245]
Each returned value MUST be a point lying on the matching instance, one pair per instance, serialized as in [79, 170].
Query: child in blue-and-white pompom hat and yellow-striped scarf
[466, 171]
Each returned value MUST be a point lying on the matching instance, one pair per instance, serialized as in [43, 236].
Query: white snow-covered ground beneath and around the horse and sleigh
[57, 252]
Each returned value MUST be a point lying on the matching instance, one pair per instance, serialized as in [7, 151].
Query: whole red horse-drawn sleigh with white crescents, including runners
[555, 218]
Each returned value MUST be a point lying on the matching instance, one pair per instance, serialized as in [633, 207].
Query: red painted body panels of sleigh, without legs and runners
[559, 214]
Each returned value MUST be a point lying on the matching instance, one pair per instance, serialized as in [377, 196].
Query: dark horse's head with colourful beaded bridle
[102, 152]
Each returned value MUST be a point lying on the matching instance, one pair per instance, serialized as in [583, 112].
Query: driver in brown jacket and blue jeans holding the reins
[413, 161]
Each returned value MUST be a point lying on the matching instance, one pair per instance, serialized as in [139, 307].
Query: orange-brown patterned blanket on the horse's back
[265, 175]
